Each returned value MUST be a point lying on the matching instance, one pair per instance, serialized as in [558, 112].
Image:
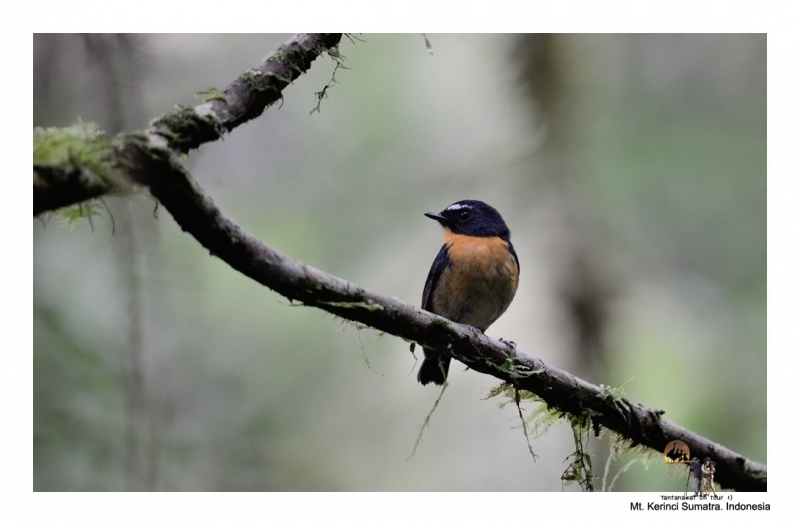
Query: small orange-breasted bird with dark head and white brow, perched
[473, 278]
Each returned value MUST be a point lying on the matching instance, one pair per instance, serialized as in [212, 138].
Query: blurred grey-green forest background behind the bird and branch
[631, 170]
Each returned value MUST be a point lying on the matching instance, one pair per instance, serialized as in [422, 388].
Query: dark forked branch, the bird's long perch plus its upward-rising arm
[150, 159]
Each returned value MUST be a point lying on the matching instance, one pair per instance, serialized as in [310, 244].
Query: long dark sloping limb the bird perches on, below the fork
[196, 213]
